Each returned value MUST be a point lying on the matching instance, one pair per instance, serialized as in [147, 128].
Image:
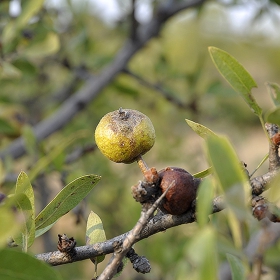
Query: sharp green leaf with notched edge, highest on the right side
[236, 75]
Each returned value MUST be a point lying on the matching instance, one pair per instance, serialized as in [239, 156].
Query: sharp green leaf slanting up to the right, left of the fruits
[65, 200]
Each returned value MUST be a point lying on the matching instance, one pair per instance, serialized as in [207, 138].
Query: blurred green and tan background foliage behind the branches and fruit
[45, 59]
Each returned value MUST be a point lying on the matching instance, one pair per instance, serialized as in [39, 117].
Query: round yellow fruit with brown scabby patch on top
[124, 134]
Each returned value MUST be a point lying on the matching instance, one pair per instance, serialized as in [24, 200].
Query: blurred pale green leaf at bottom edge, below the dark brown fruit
[203, 253]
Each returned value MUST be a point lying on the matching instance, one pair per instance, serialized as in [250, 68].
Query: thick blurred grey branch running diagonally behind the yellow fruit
[94, 85]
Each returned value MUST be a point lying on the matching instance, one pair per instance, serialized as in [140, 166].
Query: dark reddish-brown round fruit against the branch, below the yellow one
[178, 198]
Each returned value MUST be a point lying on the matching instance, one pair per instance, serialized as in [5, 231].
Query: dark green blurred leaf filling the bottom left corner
[21, 266]
